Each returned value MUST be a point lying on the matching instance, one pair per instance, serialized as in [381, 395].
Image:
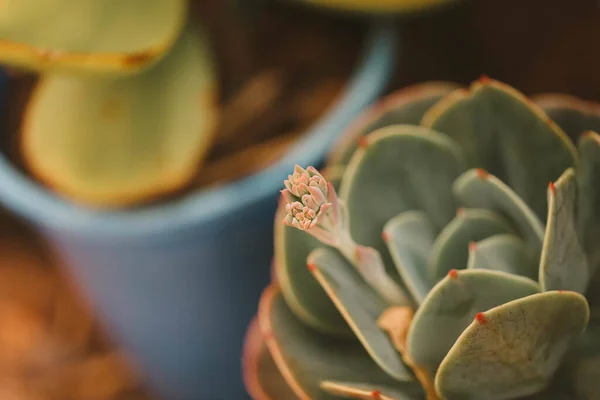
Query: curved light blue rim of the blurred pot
[29, 199]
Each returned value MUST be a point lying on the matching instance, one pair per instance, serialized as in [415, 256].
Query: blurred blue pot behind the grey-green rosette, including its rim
[177, 284]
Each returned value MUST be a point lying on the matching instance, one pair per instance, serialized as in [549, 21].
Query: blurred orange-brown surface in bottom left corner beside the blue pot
[50, 345]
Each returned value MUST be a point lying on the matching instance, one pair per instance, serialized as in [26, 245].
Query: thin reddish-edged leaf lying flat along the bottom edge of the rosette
[366, 391]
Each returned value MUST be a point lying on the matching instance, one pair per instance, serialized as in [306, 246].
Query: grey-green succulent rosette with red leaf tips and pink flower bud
[459, 260]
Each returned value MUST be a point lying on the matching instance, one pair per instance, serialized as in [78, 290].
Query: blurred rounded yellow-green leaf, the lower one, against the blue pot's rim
[112, 142]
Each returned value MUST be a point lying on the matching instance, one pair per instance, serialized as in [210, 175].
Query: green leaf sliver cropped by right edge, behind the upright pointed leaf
[589, 197]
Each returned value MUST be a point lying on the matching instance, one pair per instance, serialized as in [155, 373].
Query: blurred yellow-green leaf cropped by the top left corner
[88, 35]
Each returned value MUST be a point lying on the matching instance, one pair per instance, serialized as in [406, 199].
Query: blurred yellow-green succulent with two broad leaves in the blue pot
[125, 107]
